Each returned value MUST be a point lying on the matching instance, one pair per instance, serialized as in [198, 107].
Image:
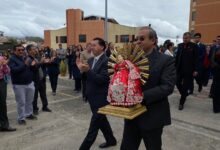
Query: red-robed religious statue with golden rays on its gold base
[128, 69]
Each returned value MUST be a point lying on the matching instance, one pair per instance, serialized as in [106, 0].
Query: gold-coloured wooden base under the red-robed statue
[123, 112]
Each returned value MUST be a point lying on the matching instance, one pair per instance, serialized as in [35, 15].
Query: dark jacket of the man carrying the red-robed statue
[160, 84]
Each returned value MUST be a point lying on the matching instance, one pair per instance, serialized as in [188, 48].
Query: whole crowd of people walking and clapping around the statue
[29, 66]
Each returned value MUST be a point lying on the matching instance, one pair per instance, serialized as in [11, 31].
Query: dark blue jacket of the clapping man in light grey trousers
[21, 74]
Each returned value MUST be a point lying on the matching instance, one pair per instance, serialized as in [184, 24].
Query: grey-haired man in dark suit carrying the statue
[161, 82]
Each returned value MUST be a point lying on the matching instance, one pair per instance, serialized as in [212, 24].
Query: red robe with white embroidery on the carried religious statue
[125, 85]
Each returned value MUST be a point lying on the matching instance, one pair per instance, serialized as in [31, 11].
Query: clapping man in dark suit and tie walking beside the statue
[96, 90]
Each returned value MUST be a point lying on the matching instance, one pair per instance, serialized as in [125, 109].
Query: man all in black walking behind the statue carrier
[186, 66]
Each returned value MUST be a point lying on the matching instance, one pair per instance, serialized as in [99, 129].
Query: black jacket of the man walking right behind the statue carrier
[191, 59]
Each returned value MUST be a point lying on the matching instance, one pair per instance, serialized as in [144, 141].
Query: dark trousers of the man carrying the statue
[133, 135]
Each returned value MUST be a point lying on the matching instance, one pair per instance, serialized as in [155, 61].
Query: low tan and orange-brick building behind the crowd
[81, 30]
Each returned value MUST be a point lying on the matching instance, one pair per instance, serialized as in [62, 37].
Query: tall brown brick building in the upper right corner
[205, 18]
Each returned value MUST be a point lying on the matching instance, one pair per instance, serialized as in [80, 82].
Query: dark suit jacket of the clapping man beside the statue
[97, 83]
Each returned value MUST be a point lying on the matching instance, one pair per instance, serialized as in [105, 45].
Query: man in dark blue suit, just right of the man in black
[201, 56]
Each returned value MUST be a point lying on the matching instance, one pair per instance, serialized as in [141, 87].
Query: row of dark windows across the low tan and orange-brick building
[82, 38]
